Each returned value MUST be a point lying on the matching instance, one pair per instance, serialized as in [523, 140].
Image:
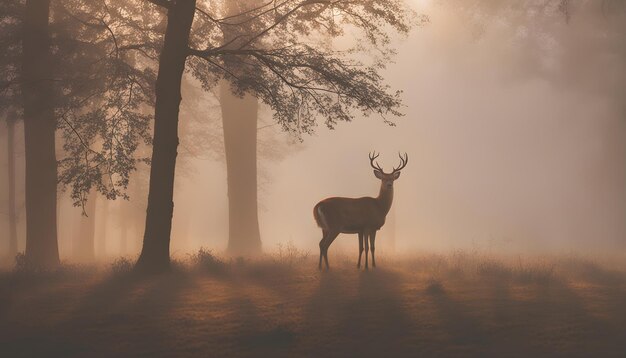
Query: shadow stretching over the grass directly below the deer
[356, 313]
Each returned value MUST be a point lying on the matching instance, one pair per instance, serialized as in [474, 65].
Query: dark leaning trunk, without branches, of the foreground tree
[156, 243]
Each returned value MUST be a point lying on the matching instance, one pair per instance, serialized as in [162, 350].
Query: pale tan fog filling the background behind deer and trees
[514, 126]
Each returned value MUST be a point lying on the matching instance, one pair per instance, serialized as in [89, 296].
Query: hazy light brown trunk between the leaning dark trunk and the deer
[239, 116]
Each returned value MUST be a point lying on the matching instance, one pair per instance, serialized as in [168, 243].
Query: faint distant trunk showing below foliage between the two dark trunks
[84, 243]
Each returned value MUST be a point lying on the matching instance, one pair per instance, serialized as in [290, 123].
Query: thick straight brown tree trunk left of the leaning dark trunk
[39, 129]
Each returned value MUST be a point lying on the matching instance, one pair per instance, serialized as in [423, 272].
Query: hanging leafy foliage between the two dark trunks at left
[103, 118]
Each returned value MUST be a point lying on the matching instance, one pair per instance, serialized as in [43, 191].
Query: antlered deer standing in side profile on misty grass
[363, 216]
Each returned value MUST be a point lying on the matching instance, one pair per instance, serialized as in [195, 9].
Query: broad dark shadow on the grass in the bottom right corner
[509, 314]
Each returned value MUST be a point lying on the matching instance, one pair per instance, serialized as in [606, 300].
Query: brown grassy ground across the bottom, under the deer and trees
[433, 305]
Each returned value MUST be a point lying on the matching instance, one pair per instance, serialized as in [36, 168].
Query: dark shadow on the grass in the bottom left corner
[121, 313]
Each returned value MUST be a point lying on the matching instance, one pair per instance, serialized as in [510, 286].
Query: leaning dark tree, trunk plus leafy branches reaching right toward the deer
[298, 81]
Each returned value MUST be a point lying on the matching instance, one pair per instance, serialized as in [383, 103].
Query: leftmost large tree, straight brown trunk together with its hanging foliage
[87, 88]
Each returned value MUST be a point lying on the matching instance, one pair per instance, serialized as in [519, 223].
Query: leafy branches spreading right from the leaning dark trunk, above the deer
[280, 52]
